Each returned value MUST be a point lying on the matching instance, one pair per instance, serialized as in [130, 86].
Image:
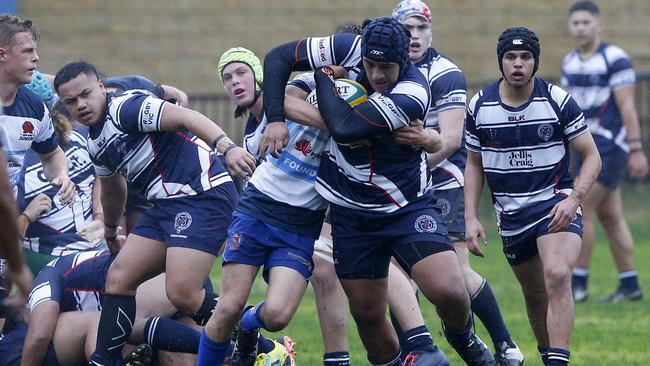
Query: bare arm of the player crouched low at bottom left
[42, 323]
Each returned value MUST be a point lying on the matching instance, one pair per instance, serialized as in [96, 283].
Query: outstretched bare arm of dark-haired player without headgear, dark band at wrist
[175, 118]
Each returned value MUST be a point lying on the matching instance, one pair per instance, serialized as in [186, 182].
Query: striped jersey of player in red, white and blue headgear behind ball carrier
[448, 90]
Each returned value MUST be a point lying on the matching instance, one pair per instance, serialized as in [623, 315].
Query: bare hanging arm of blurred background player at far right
[638, 162]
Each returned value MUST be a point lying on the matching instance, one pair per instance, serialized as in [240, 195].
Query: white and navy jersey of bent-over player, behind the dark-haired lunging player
[55, 232]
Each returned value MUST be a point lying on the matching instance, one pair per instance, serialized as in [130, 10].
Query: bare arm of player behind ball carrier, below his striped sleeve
[451, 133]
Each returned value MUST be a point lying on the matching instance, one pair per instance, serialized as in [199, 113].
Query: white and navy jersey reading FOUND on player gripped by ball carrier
[281, 191]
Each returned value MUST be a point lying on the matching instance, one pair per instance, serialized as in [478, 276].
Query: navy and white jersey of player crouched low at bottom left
[74, 281]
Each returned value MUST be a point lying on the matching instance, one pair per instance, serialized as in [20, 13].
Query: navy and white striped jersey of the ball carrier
[385, 176]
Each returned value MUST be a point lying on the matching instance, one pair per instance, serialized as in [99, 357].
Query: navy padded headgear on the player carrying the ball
[386, 40]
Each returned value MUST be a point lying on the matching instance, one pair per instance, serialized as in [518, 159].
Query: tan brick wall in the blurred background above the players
[178, 42]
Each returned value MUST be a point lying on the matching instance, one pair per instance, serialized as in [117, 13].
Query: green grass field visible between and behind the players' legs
[605, 334]
